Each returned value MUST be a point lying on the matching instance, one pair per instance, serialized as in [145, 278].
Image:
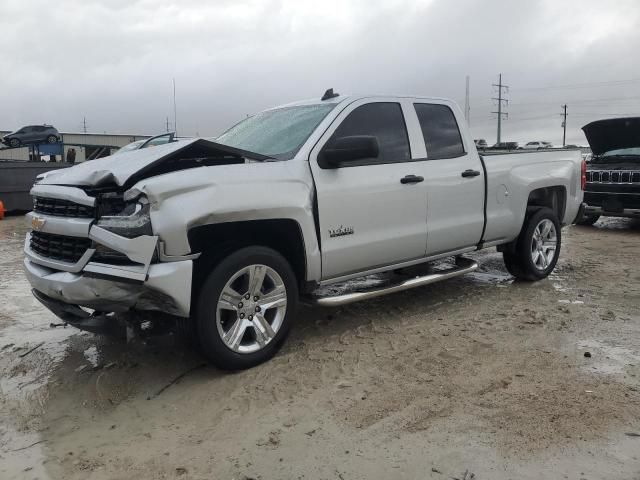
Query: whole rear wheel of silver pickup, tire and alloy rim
[537, 248]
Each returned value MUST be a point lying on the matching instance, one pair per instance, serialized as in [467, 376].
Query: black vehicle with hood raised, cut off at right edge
[613, 172]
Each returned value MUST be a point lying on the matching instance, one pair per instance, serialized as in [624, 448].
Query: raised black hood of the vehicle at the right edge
[612, 134]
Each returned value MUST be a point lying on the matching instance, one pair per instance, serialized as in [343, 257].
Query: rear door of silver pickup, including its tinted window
[454, 179]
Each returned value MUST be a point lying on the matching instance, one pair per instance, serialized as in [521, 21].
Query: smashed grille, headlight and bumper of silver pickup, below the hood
[106, 260]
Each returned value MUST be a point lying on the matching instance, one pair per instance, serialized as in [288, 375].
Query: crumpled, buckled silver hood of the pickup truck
[129, 167]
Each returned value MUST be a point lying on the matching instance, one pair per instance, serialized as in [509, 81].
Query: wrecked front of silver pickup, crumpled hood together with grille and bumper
[92, 249]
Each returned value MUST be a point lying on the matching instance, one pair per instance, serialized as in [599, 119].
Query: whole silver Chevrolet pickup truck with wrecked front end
[228, 235]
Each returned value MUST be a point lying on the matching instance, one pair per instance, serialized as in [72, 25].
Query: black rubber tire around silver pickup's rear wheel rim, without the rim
[518, 259]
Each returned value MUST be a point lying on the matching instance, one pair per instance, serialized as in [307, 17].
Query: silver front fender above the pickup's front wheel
[186, 199]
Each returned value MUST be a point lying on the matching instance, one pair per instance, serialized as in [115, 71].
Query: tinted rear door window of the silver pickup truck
[440, 131]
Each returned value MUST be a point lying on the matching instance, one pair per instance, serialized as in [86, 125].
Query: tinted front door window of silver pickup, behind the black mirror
[383, 120]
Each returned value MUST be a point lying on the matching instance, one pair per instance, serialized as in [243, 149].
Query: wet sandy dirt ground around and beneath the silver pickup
[477, 377]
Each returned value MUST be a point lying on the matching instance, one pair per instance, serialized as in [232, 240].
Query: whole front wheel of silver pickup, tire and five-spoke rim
[246, 308]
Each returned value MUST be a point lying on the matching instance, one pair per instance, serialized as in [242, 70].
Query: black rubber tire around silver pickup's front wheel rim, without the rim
[212, 345]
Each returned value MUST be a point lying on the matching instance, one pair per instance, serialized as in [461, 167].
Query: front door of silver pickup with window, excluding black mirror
[369, 218]
